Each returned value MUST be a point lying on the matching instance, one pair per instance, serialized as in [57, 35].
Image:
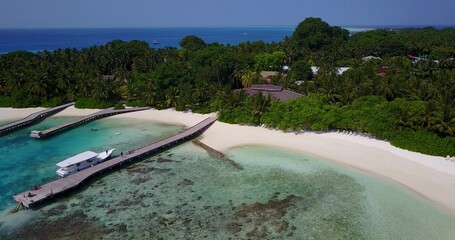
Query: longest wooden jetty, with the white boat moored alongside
[48, 191]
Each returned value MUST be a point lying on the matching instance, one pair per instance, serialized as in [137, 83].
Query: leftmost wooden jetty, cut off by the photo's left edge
[32, 118]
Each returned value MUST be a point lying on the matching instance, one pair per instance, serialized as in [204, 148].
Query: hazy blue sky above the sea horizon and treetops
[215, 13]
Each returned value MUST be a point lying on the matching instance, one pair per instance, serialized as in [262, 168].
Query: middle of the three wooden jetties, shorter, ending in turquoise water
[65, 126]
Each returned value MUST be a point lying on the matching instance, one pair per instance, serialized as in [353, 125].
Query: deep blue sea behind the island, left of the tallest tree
[51, 39]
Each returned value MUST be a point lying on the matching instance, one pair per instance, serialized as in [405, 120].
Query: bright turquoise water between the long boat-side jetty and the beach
[26, 162]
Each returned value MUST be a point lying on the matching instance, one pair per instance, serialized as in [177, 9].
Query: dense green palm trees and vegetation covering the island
[410, 103]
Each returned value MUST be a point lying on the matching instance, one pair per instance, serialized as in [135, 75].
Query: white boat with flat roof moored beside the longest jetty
[82, 161]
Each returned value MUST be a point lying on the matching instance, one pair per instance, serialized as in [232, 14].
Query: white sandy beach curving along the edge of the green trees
[432, 177]
